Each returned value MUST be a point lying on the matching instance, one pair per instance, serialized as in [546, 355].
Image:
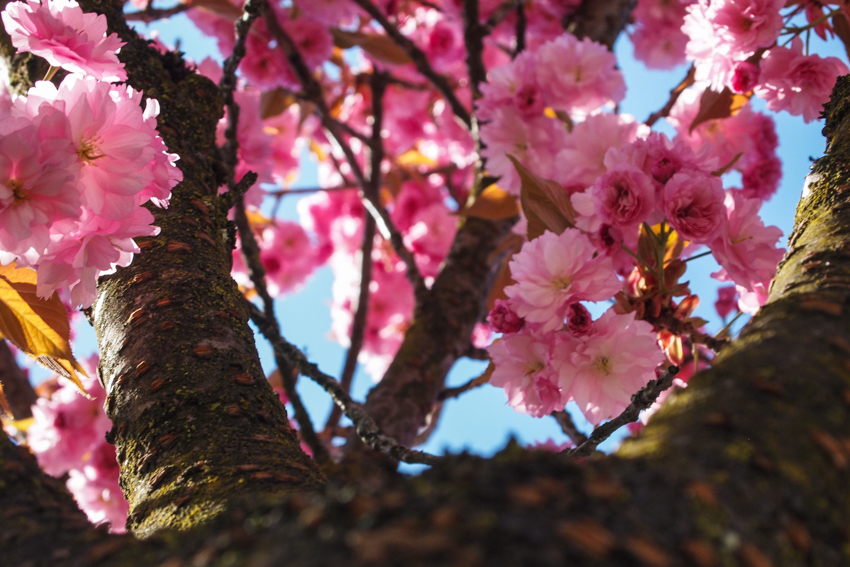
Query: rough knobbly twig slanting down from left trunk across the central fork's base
[365, 426]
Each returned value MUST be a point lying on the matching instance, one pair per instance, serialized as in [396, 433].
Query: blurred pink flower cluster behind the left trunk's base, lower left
[68, 436]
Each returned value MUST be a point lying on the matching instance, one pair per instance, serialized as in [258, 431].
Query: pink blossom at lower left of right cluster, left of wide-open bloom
[524, 369]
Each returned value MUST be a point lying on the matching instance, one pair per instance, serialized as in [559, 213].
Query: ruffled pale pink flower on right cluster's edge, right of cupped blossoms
[745, 248]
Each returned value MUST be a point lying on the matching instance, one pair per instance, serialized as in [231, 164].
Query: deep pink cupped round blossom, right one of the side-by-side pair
[693, 205]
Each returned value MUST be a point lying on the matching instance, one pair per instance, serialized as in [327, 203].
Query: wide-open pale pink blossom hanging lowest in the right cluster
[605, 367]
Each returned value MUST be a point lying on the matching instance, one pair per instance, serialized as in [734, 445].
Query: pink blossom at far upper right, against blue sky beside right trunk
[798, 83]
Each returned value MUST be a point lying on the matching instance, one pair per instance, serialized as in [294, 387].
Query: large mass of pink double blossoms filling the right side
[544, 109]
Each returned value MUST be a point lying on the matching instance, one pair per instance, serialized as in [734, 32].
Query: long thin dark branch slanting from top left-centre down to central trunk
[313, 92]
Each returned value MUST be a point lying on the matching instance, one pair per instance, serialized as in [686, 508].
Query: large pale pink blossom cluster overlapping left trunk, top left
[77, 161]
